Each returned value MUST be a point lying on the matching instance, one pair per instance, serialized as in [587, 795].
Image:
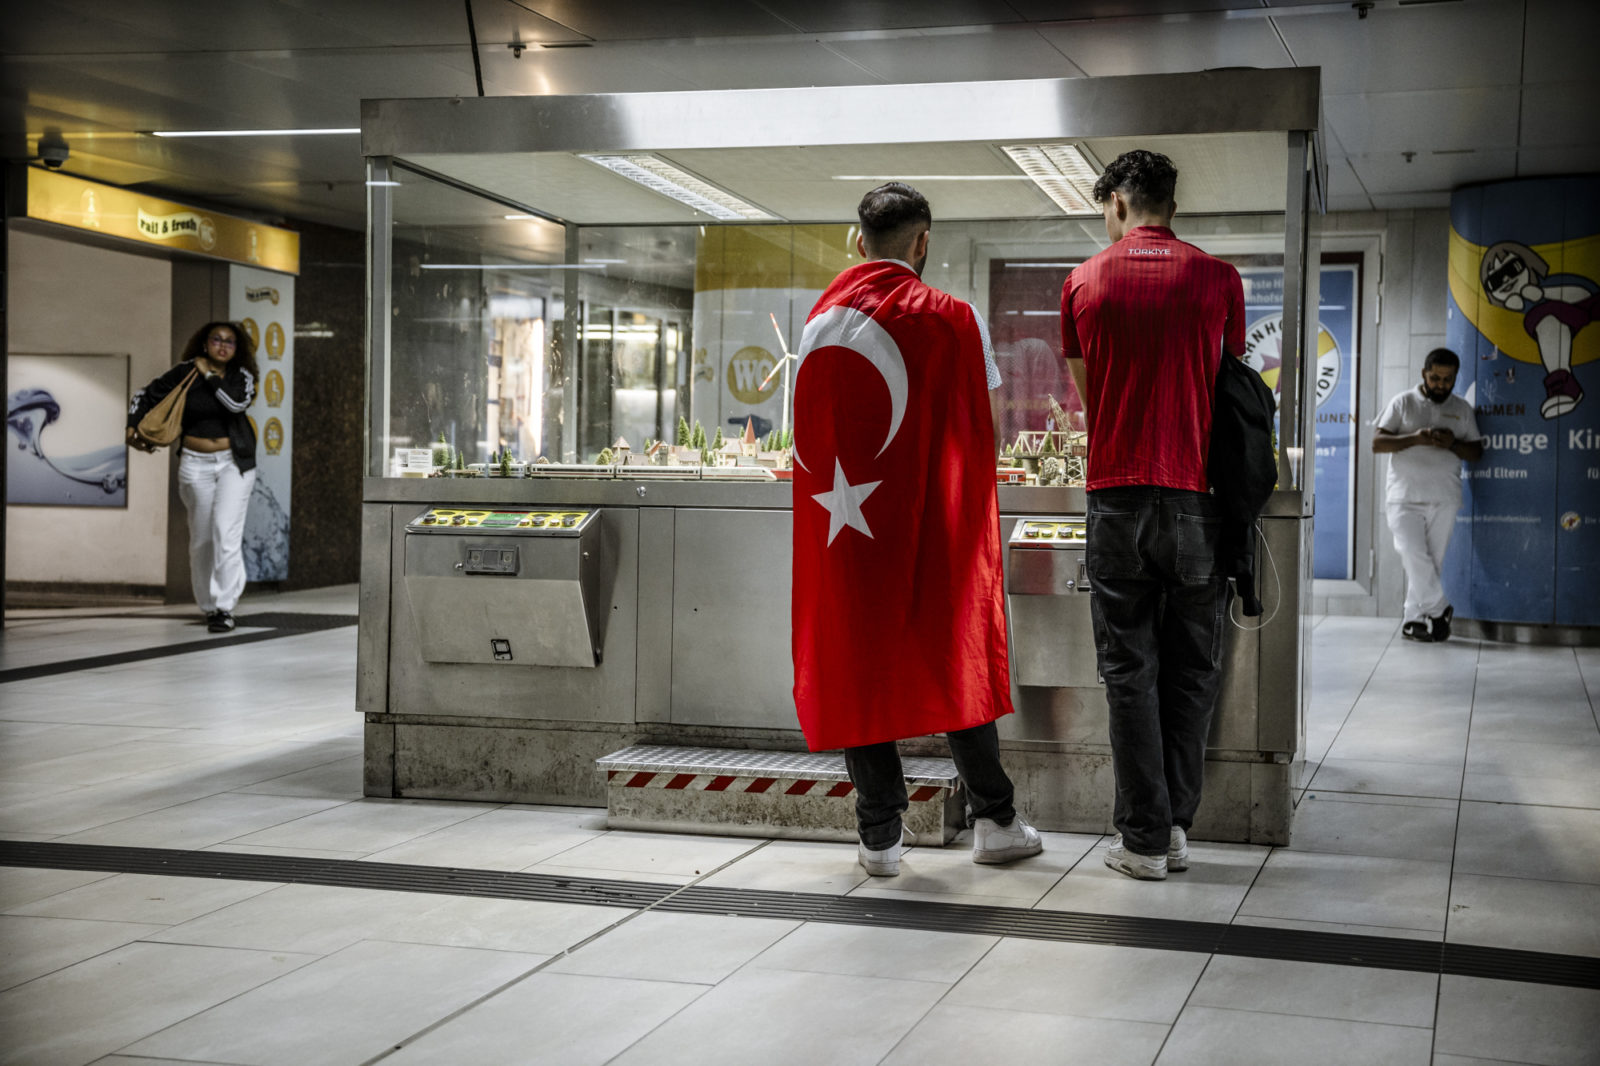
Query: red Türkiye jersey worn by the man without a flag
[1151, 318]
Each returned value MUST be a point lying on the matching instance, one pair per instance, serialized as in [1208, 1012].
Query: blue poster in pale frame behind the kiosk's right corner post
[1337, 419]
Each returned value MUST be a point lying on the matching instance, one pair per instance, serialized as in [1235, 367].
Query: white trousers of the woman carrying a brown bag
[217, 497]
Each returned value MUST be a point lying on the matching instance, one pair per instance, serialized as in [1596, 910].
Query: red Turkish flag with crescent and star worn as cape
[898, 615]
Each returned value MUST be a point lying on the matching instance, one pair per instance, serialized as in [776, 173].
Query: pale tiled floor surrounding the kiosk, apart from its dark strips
[1452, 795]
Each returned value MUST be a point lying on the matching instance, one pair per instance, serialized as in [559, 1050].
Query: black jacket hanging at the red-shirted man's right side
[1242, 468]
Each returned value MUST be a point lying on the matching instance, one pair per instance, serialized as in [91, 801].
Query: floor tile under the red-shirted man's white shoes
[1210, 891]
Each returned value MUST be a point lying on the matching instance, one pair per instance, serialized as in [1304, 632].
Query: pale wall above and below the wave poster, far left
[68, 299]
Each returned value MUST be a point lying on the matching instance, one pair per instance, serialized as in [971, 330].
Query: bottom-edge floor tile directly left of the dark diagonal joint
[319, 1016]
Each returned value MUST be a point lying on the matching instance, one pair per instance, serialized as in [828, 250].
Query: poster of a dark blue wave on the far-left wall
[65, 427]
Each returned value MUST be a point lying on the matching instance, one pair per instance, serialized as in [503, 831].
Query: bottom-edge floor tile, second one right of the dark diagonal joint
[825, 1019]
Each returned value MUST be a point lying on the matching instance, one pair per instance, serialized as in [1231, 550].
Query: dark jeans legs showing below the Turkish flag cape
[881, 787]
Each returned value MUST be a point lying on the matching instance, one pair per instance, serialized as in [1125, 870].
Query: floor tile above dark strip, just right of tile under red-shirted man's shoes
[1353, 889]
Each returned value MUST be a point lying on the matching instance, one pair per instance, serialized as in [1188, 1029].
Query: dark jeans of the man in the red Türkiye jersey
[1159, 611]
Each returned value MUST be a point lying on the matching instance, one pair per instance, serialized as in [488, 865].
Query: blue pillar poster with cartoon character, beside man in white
[1522, 315]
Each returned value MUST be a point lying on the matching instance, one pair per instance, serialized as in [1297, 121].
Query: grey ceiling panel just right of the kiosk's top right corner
[1410, 122]
